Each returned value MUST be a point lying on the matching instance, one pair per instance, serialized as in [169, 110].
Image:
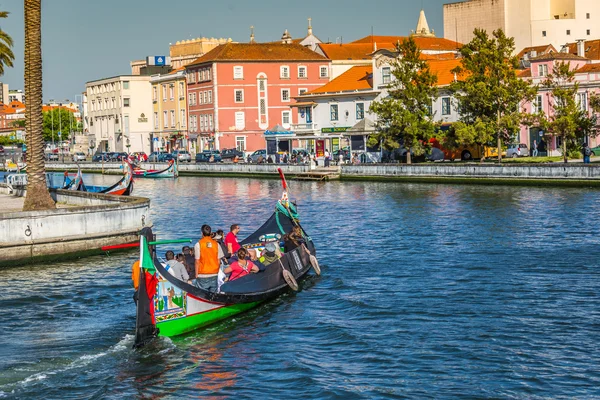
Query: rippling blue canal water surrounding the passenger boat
[428, 291]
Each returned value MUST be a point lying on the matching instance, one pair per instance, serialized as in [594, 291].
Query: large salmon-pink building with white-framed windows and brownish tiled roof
[239, 90]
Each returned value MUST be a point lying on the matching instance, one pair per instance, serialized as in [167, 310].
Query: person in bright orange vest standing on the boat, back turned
[208, 254]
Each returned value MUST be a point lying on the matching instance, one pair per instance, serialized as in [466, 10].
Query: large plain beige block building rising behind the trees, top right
[530, 22]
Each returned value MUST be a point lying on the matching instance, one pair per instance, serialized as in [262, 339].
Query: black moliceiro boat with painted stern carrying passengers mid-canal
[167, 306]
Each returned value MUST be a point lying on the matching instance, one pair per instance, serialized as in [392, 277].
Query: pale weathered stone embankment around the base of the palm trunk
[81, 224]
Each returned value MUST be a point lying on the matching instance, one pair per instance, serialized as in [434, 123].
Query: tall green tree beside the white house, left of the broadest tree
[404, 117]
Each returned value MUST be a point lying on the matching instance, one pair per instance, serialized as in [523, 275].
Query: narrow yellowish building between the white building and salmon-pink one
[169, 116]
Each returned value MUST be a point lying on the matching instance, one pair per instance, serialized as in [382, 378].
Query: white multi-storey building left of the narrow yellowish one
[119, 113]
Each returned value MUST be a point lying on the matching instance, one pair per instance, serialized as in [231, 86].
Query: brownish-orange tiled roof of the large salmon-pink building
[258, 52]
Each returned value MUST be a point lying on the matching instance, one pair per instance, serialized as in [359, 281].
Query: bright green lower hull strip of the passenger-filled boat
[174, 327]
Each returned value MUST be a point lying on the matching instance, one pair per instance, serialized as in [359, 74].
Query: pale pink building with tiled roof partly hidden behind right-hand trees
[587, 75]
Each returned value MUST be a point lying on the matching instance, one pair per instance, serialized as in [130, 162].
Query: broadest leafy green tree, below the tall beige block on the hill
[488, 92]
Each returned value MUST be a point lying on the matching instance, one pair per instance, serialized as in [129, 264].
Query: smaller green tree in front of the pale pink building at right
[569, 121]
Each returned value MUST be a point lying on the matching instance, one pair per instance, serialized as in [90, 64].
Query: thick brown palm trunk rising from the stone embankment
[38, 197]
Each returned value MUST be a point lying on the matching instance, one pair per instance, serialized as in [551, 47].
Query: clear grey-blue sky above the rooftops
[86, 40]
